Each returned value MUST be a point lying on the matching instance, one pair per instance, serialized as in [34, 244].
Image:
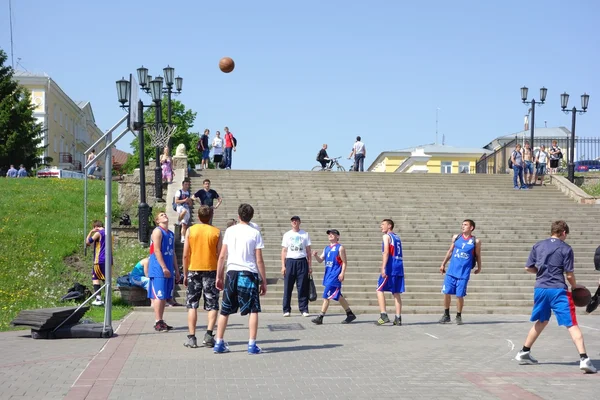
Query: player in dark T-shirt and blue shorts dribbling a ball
[551, 259]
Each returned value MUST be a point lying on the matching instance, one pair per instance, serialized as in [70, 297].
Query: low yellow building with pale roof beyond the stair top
[429, 158]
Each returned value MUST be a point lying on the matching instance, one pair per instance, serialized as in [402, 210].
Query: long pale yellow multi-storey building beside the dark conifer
[69, 126]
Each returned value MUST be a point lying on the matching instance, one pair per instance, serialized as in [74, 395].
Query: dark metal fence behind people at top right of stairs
[497, 162]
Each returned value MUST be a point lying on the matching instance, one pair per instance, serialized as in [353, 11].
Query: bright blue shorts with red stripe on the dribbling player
[559, 301]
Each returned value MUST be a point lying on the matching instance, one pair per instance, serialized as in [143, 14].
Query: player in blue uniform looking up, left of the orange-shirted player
[161, 269]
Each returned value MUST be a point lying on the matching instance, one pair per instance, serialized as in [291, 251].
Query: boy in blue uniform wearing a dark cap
[334, 256]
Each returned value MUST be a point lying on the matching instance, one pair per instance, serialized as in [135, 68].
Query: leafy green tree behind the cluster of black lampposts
[180, 117]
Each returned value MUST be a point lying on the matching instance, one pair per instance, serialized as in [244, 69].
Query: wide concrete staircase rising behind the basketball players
[427, 210]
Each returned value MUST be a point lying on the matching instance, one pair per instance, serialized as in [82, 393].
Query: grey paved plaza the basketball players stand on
[418, 360]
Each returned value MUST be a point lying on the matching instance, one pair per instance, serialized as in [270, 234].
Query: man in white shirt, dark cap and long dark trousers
[296, 266]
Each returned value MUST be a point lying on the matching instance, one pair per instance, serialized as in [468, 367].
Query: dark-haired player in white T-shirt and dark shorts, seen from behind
[246, 278]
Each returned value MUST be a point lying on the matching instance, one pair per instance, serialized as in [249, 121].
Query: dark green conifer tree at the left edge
[20, 133]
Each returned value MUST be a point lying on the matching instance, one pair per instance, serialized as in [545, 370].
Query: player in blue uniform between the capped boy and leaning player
[391, 278]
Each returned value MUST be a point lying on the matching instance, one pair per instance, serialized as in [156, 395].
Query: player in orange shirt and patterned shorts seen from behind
[200, 252]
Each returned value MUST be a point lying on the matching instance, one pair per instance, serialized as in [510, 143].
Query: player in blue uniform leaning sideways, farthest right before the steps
[463, 254]
